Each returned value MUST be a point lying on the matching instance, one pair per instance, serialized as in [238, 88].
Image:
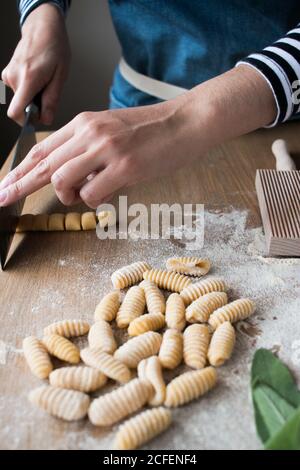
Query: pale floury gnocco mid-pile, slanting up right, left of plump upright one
[138, 348]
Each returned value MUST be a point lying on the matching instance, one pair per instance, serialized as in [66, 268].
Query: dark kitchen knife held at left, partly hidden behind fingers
[9, 215]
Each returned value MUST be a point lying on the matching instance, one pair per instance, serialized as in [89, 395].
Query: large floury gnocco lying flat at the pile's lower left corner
[69, 405]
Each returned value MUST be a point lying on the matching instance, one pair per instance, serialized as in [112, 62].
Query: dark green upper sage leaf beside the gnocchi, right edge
[267, 369]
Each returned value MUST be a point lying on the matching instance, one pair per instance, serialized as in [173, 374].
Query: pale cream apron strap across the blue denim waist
[156, 88]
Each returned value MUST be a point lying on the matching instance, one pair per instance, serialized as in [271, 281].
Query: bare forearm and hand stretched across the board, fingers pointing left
[120, 147]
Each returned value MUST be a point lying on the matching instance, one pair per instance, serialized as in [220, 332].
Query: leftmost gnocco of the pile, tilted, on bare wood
[37, 357]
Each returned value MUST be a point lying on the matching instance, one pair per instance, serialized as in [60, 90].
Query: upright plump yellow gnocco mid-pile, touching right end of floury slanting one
[171, 350]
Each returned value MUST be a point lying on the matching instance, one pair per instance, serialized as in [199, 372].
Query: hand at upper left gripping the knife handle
[40, 62]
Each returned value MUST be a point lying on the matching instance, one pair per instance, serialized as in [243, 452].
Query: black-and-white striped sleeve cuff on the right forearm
[279, 64]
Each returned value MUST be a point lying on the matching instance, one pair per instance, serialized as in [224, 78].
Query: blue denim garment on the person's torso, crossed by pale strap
[186, 42]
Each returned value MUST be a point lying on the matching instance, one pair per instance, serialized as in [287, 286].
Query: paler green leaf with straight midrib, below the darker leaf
[273, 409]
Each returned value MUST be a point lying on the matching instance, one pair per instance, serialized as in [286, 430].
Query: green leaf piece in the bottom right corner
[288, 437]
